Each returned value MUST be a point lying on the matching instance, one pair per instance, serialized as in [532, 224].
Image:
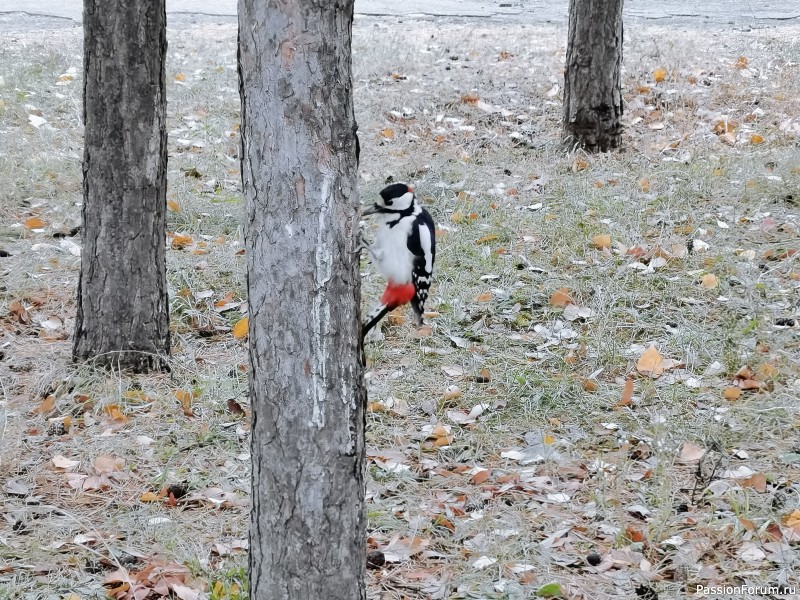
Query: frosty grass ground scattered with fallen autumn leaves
[605, 404]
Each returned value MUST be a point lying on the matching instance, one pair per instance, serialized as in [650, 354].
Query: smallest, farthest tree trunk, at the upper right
[592, 92]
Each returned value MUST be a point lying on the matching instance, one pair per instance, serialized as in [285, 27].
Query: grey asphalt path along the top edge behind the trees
[27, 15]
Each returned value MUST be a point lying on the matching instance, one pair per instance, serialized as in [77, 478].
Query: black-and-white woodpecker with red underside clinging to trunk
[403, 252]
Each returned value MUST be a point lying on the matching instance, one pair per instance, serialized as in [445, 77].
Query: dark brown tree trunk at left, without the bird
[123, 312]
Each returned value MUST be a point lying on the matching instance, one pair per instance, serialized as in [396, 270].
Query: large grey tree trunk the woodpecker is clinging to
[307, 523]
